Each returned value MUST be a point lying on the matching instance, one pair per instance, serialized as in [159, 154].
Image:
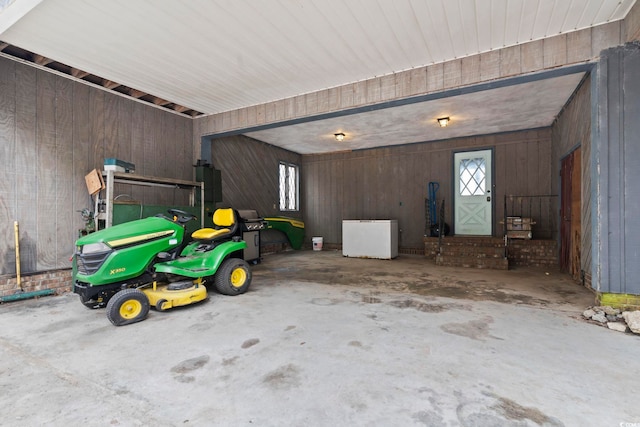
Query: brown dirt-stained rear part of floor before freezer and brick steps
[418, 275]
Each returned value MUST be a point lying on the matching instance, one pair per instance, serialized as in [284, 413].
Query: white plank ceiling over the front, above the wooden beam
[220, 55]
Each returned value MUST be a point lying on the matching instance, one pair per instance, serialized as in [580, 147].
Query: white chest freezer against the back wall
[370, 238]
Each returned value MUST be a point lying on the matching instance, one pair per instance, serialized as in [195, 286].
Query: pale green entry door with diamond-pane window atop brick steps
[473, 198]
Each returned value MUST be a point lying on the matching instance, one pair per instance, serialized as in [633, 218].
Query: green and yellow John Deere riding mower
[131, 267]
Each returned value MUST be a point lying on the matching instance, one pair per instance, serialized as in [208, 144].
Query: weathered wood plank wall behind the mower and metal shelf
[53, 131]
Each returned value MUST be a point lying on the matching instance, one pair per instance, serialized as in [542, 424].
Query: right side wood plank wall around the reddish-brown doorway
[572, 129]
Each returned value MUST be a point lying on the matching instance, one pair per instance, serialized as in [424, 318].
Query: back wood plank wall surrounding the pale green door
[391, 182]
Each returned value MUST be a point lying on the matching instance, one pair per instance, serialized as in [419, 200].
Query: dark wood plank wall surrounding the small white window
[250, 174]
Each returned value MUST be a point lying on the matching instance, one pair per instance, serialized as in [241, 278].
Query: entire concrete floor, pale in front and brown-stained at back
[323, 340]
